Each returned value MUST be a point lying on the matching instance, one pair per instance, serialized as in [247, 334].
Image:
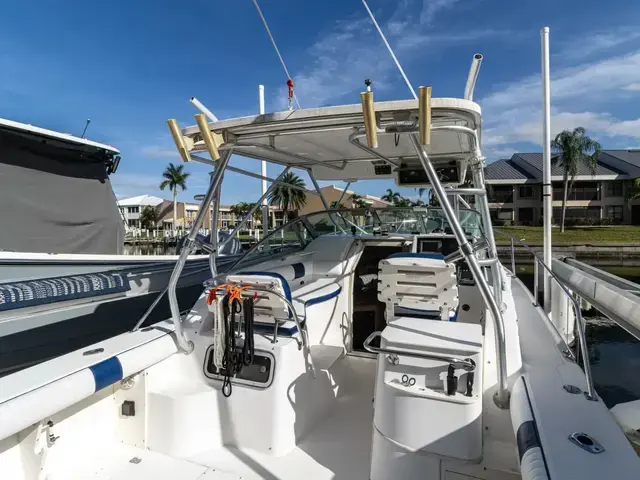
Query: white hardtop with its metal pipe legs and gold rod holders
[426, 142]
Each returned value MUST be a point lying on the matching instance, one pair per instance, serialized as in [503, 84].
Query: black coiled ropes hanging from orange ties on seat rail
[234, 359]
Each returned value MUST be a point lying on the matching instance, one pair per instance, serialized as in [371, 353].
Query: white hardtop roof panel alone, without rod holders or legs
[331, 141]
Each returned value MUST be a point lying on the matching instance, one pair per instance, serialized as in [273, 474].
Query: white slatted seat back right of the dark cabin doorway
[418, 285]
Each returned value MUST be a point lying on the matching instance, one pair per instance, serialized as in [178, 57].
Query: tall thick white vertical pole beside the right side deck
[547, 212]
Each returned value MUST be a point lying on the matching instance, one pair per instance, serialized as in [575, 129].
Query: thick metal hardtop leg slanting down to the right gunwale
[501, 397]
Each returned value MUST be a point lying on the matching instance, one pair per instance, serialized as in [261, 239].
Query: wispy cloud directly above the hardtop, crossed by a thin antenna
[352, 51]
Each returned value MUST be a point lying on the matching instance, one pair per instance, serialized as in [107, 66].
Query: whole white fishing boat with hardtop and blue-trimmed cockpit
[349, 344]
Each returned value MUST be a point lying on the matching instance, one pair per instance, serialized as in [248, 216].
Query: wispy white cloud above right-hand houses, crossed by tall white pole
[513, 114]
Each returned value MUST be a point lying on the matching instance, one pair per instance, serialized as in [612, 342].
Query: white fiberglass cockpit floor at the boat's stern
[337, 447]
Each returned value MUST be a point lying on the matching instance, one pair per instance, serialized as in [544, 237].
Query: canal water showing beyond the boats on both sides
[614, 354]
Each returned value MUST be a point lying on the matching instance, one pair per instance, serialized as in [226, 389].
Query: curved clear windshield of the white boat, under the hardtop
[297, 234]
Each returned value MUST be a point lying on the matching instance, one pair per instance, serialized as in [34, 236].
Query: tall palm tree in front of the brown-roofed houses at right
[574, 147]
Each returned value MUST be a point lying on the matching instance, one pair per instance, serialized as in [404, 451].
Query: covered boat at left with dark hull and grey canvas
[64, 282]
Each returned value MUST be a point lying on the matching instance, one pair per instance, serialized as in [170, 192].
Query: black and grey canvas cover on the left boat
[56, 197]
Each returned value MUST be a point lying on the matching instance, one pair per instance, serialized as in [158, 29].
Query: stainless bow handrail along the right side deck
[591, 392]
